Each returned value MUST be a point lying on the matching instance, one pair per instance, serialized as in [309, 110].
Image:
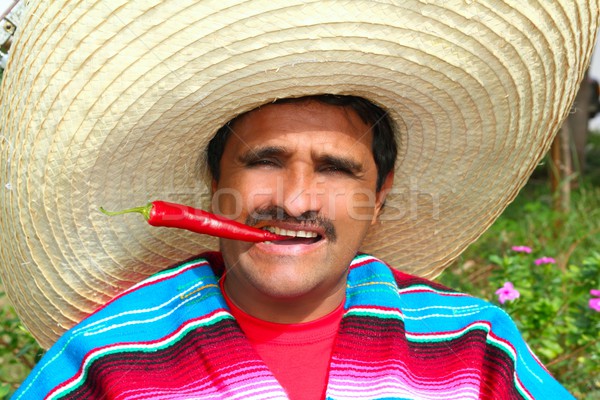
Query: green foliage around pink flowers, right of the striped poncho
[552, 311]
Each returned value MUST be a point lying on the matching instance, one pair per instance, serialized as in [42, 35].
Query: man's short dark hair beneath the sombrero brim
[384, 145]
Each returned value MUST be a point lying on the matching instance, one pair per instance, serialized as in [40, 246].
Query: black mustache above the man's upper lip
[308, 218]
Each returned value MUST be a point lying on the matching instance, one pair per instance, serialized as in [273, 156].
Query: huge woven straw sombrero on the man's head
[111, 103]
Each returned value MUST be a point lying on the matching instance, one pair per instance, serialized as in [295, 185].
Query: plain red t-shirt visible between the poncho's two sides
[297, 354]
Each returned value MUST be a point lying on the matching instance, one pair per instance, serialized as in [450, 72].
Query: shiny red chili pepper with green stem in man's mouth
[172, 215]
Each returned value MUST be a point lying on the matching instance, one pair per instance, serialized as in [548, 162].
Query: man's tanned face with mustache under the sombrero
[302, 169]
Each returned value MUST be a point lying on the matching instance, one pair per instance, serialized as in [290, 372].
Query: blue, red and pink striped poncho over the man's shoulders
[401, 337]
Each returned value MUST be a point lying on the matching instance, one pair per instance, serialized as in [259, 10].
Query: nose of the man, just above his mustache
[302, 190]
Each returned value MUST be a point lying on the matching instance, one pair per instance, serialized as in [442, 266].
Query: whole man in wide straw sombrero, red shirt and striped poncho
[311, 316]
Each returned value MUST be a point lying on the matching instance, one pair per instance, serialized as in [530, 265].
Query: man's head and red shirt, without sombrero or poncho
[316, 165]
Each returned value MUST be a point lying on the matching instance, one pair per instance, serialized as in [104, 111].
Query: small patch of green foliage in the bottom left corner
[18, 350]
